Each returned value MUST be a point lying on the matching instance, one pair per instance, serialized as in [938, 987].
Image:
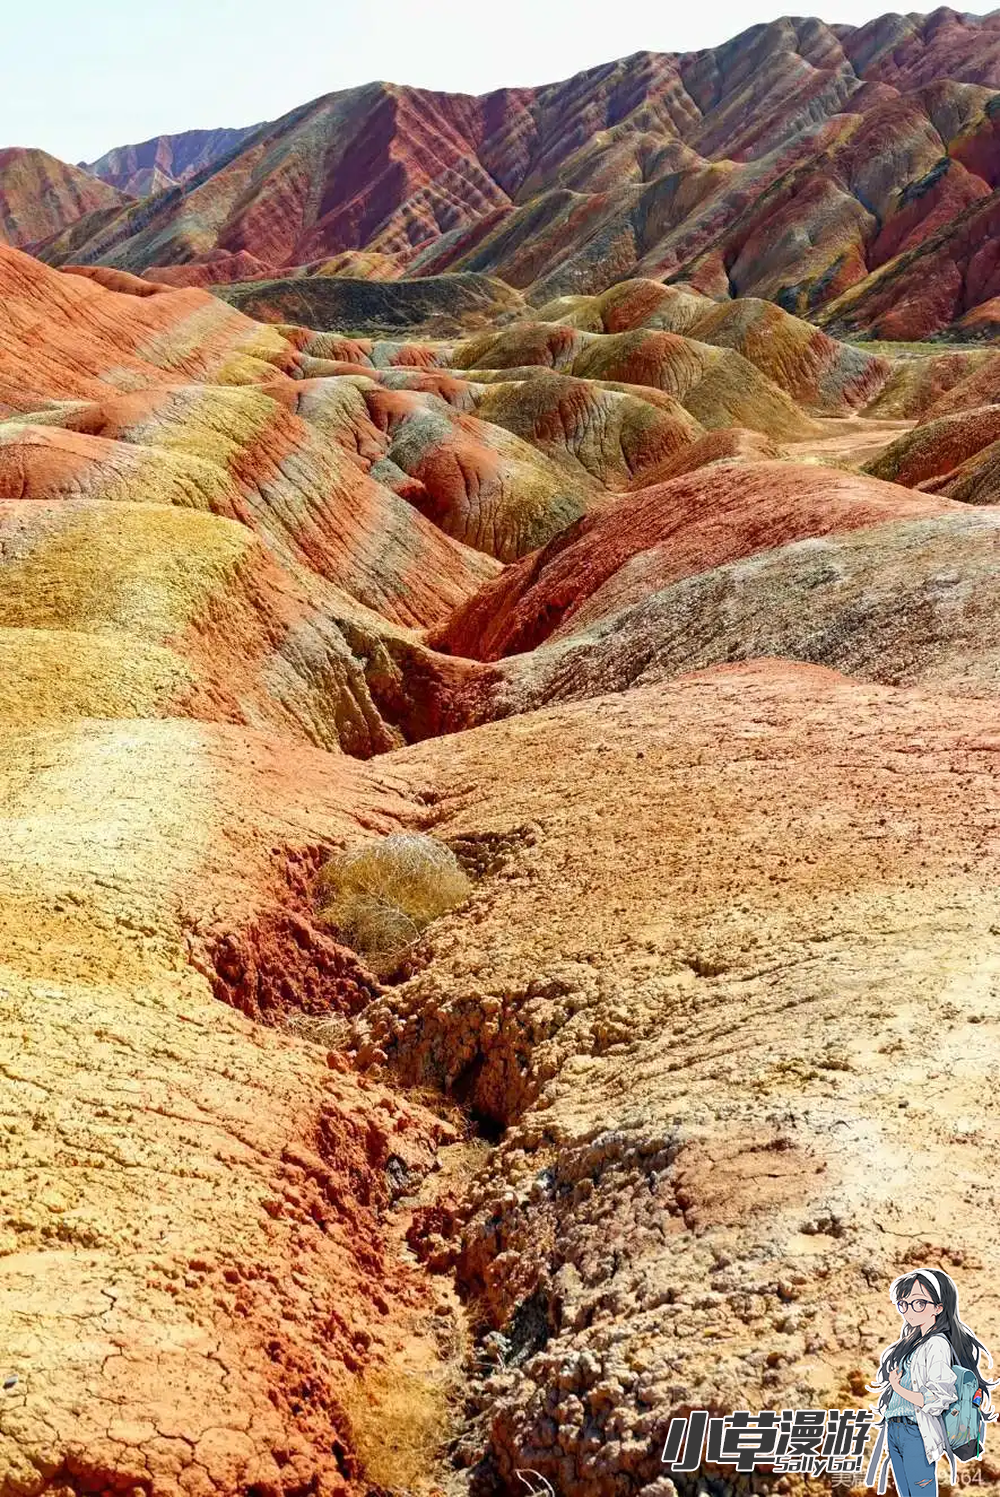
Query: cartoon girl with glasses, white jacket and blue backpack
[918, 1382]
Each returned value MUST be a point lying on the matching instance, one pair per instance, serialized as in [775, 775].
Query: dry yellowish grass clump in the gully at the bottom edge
[400, 1424]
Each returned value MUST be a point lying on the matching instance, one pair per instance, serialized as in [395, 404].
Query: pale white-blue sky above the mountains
[79, 77]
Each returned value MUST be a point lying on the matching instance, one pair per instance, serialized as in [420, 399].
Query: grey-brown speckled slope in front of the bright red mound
[909, 603]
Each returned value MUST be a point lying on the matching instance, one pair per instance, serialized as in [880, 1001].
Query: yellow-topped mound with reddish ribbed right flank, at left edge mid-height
[173, 613]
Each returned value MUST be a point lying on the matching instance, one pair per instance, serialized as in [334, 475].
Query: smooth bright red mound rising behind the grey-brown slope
[661, 535]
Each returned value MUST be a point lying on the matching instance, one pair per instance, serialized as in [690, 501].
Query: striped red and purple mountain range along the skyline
[854, 149]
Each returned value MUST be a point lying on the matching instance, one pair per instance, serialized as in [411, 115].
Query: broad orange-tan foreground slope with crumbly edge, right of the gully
[698, 1013]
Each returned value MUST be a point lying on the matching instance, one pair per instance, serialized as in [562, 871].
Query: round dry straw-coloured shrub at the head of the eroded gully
[381, 897]
